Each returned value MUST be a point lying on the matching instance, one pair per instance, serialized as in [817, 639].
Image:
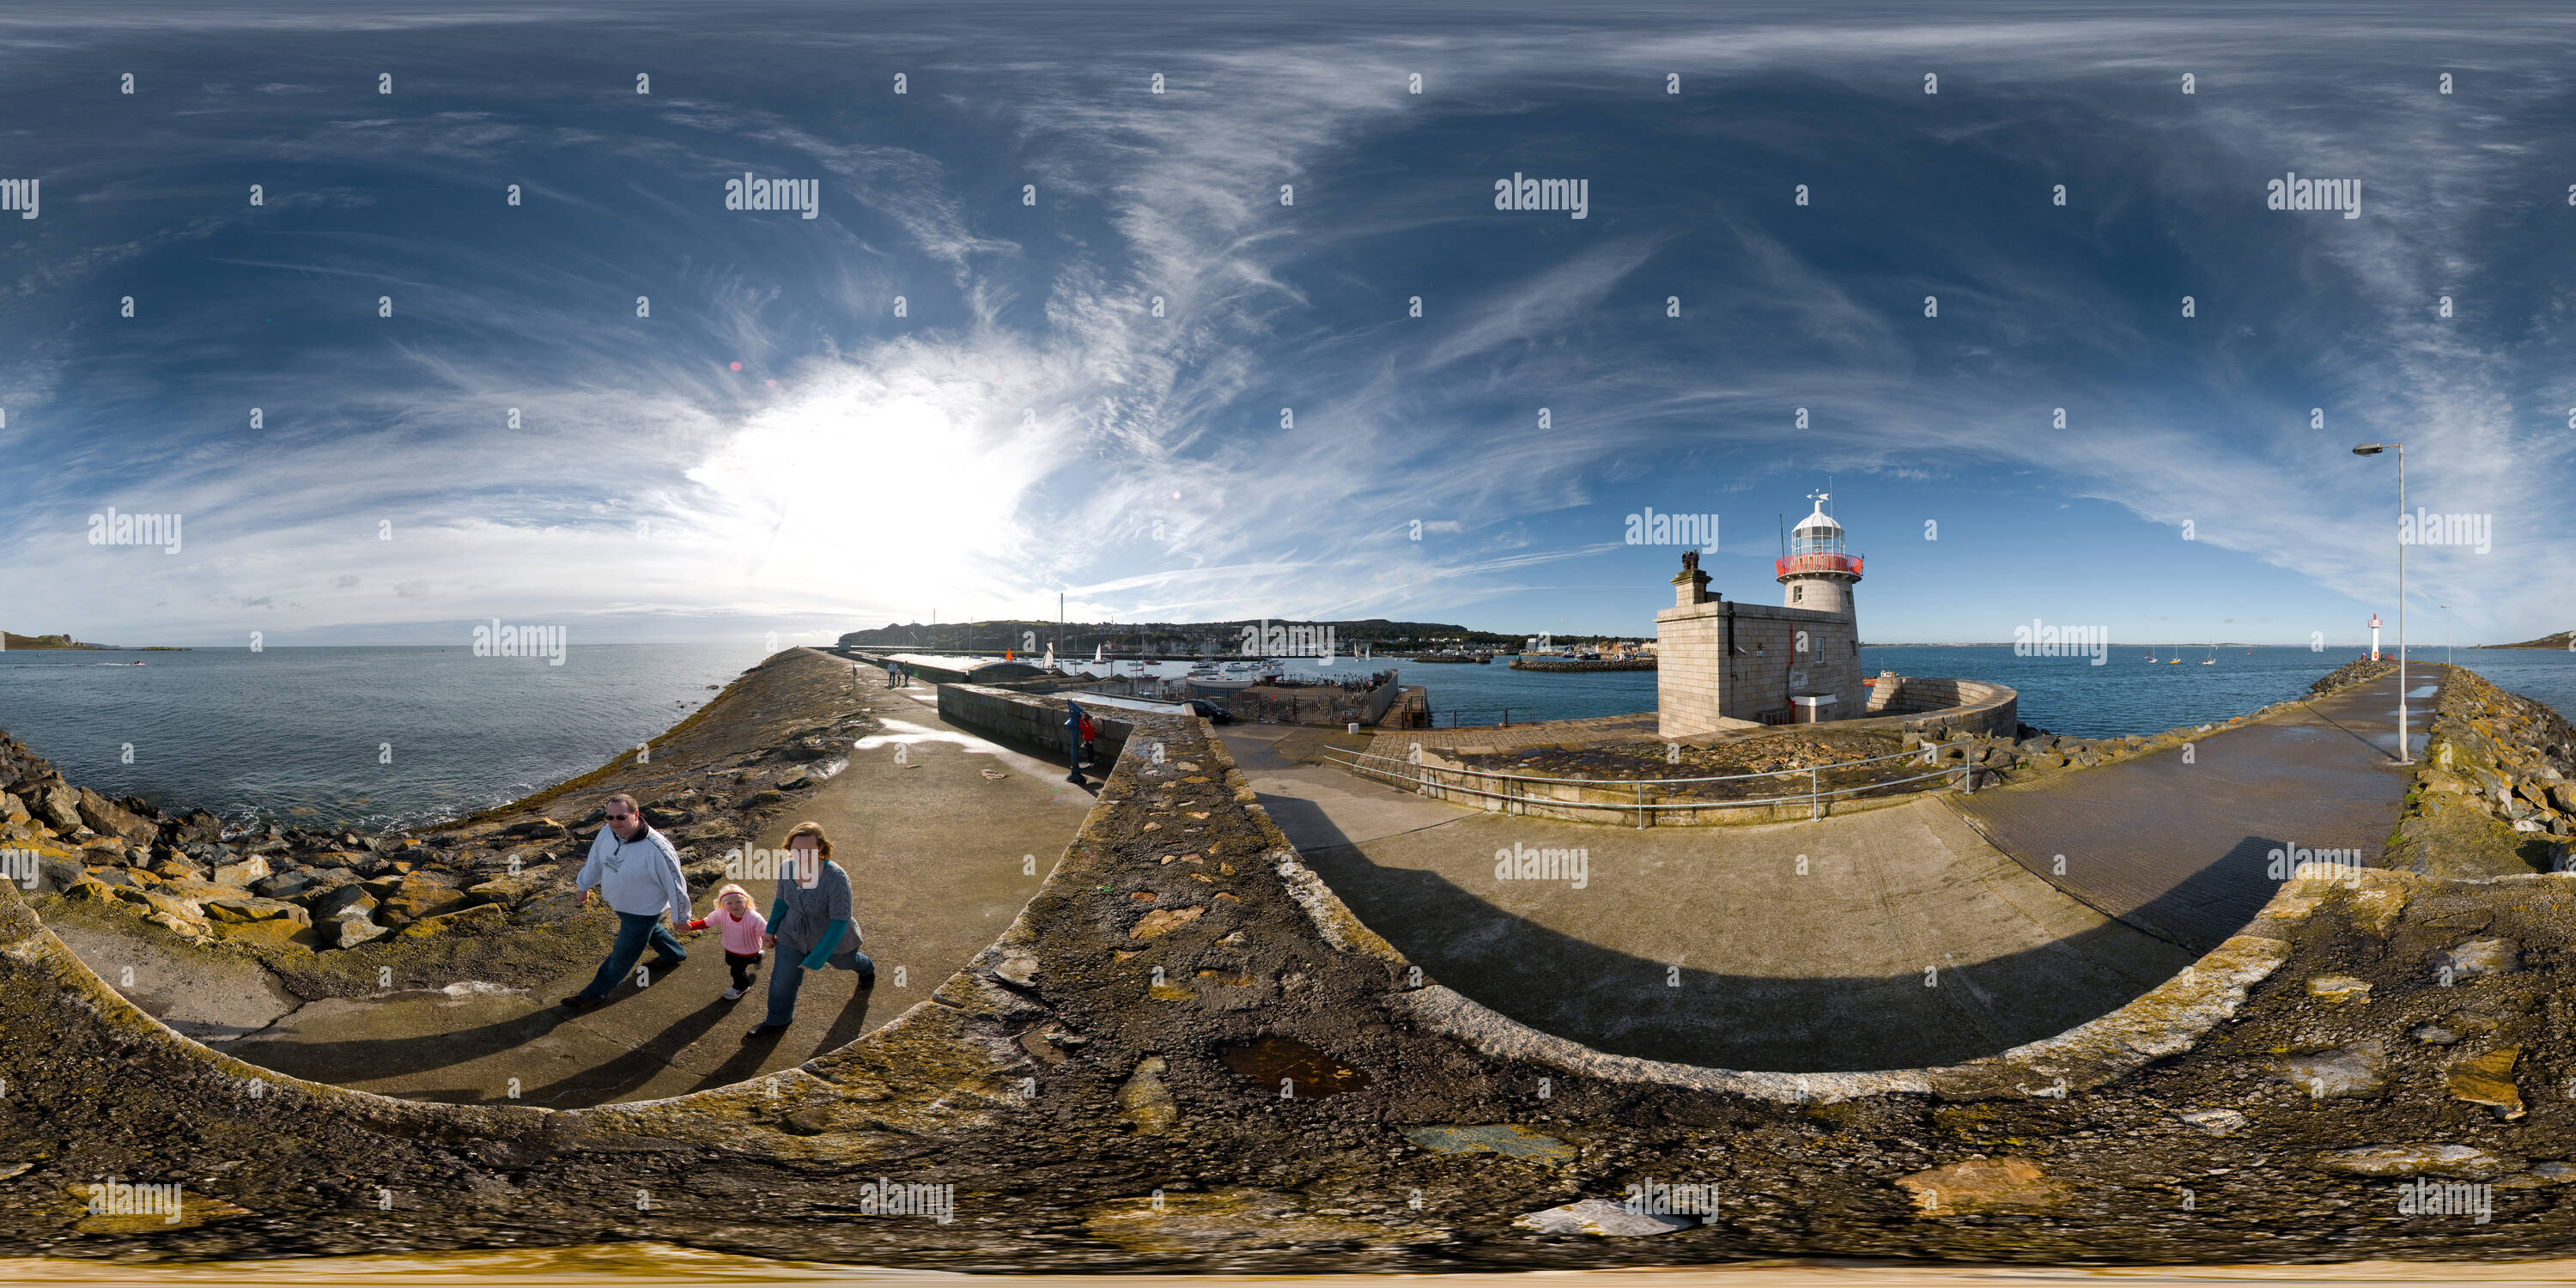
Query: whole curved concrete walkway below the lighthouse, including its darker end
[1908, 936]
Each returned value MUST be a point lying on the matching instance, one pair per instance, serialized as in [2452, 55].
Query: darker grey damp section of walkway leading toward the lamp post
[2181, 849]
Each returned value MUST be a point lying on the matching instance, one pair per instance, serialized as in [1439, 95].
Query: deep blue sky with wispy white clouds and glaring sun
[1212, 316]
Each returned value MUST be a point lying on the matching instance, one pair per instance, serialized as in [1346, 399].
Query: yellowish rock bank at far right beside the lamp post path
[2497, 787]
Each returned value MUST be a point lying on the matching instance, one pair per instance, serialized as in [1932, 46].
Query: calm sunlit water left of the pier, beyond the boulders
[303, 735]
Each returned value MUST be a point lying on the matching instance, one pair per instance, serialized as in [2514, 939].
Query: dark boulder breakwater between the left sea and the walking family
[488, 898]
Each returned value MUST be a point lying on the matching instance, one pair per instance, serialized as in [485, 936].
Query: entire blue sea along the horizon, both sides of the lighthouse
[398, 738]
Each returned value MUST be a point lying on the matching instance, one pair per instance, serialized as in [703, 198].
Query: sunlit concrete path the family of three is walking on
[944, 849]
